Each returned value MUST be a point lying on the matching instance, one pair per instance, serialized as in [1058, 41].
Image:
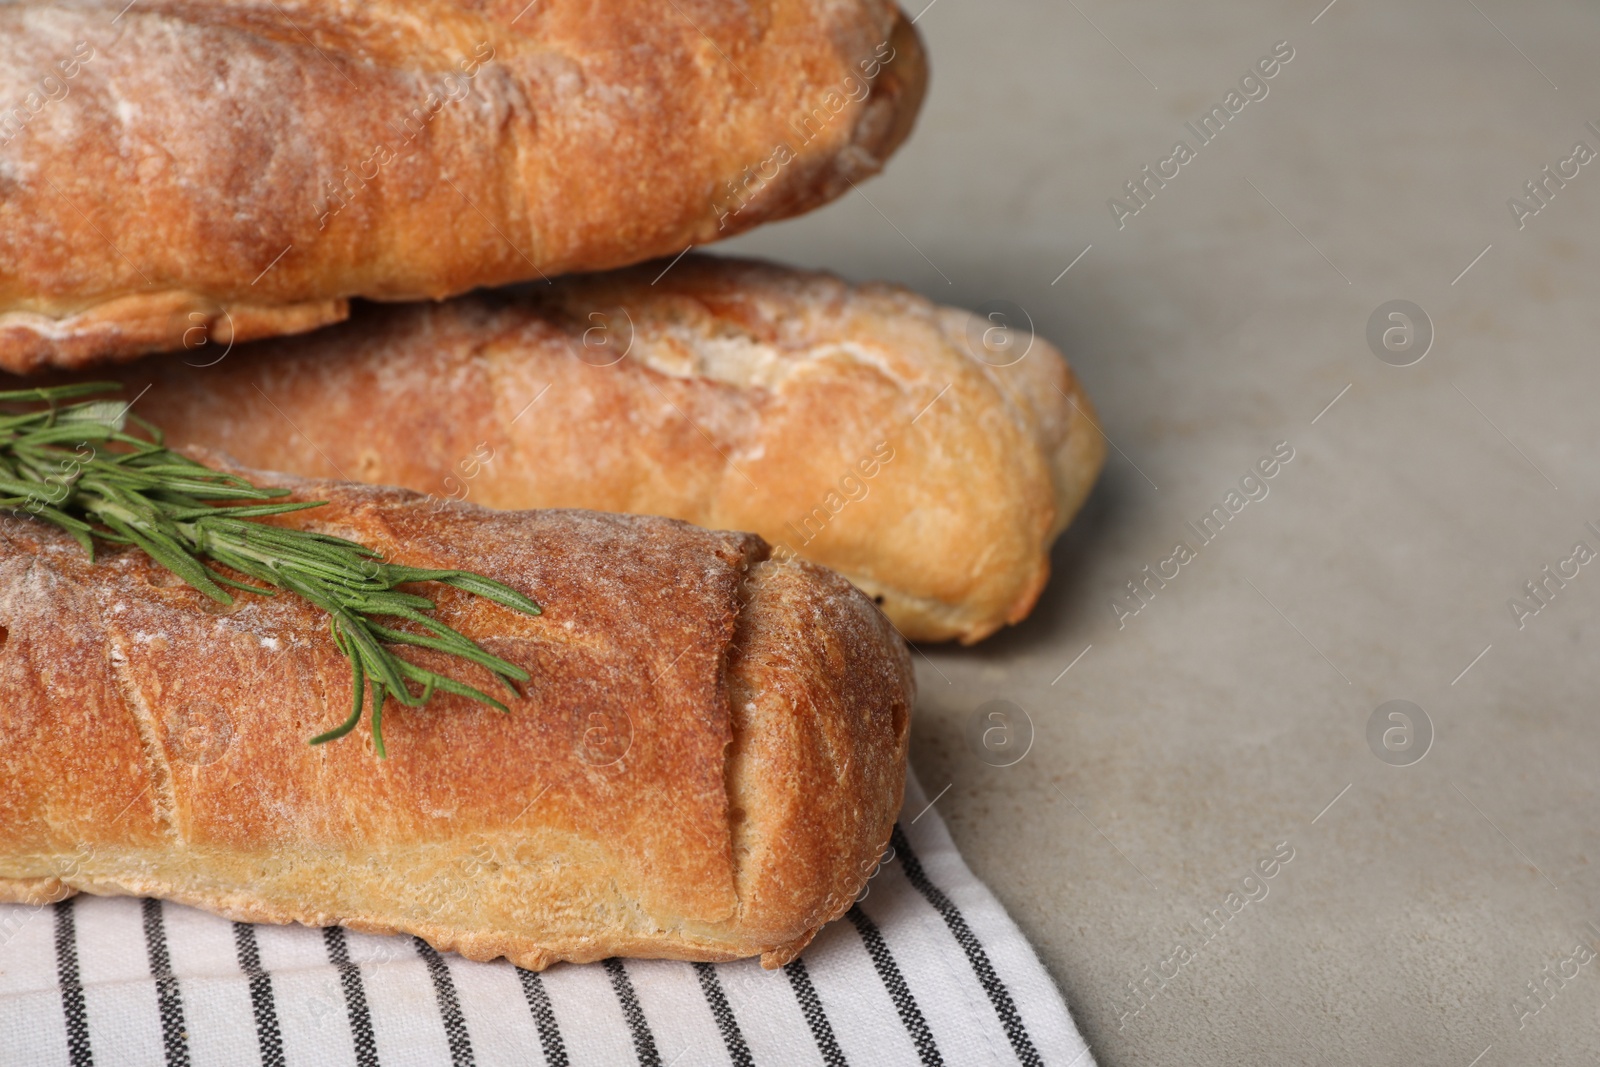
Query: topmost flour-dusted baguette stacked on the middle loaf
[241, 169]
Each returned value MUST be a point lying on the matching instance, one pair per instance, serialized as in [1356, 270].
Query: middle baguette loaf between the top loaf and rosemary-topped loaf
[855, 426]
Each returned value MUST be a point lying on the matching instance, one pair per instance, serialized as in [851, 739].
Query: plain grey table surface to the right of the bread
[1441, 909]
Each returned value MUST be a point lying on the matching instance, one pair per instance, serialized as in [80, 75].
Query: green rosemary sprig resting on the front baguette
[79, 468]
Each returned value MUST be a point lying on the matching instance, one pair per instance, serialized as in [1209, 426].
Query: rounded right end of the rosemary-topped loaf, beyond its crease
[804, 756]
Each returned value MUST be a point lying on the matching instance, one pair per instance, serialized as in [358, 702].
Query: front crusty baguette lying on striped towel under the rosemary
[706, 764]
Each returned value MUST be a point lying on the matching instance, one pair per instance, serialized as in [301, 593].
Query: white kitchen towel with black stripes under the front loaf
[927, 969]
